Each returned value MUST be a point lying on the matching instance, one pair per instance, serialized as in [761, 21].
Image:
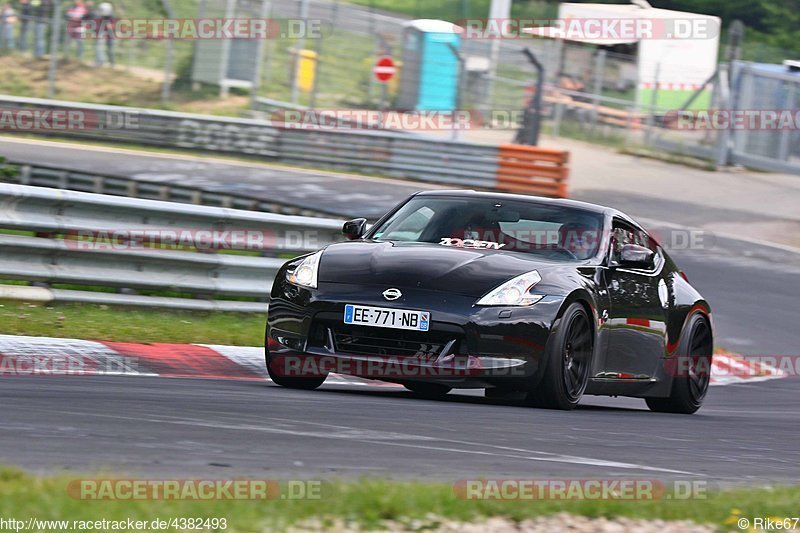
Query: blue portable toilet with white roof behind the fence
[429, 79]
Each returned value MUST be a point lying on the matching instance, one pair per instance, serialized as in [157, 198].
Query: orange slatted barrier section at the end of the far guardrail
[534, 170]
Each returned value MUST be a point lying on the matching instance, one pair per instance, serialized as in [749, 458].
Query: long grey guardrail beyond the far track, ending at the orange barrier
[396, 154]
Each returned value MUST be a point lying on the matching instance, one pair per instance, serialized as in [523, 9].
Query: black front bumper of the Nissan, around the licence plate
[466, 345]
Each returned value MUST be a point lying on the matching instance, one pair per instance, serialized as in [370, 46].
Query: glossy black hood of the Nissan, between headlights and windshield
[463, 271]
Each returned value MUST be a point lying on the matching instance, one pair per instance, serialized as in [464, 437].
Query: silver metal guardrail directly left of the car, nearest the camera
[91, 240]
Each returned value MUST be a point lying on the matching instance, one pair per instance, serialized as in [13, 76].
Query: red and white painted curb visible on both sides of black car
[36, 356]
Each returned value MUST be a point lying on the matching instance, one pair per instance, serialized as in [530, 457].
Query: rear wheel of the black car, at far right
[690, 384]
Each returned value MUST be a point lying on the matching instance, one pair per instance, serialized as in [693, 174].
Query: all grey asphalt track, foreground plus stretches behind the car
[160, 426]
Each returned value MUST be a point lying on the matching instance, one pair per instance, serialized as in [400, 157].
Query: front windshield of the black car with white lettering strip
[558, 232]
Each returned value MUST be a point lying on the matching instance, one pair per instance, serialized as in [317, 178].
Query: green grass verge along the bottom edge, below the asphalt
[370, 503]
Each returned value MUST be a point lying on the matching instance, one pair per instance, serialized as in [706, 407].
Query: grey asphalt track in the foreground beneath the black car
[185, 427]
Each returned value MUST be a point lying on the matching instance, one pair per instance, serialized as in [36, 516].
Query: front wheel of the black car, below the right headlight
[568, 362]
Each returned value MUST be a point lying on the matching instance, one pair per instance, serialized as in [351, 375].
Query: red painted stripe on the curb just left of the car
[183, 360]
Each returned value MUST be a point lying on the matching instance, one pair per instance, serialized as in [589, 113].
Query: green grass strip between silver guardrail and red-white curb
[112, 323]
